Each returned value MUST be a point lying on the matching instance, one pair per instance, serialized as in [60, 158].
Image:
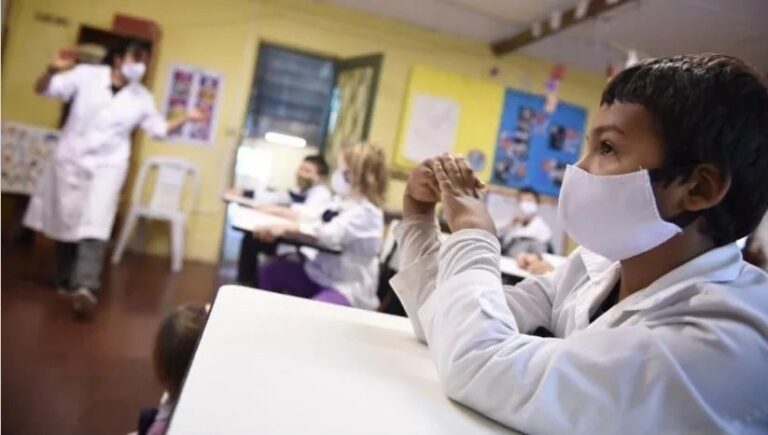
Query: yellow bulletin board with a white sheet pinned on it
[448, 112]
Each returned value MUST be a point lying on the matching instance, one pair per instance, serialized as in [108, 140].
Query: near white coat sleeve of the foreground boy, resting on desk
[626, 379]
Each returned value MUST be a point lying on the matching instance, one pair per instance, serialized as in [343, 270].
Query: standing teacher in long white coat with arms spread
[77, 196]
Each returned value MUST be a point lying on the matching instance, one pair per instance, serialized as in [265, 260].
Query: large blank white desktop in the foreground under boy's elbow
[273, 364]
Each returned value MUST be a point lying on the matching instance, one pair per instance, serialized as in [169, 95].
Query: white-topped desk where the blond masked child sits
[246, 220]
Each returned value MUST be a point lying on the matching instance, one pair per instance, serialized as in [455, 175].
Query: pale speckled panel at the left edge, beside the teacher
[26, 151]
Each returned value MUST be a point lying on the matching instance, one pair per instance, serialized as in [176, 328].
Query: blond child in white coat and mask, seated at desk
[355, 225]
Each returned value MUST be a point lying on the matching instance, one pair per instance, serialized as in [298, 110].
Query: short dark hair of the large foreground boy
[707, 108]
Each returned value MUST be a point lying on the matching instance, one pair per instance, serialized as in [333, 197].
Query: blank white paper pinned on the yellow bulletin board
[432, 126]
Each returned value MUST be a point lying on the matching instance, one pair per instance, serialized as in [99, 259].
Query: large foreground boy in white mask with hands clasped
[654, 325]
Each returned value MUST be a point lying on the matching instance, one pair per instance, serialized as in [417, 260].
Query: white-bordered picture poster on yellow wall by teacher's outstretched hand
[193, 88]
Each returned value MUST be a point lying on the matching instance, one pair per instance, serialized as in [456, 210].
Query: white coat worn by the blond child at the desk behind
[358, 230]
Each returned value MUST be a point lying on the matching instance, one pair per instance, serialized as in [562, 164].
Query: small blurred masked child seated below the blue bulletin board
[527, 232]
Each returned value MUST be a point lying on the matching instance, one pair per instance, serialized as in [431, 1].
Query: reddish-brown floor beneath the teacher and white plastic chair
[63, 376]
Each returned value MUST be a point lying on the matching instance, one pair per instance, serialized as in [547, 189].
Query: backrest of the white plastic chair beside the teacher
[172, 174]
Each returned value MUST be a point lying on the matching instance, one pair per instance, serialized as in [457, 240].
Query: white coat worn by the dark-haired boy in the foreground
[687, 354]
